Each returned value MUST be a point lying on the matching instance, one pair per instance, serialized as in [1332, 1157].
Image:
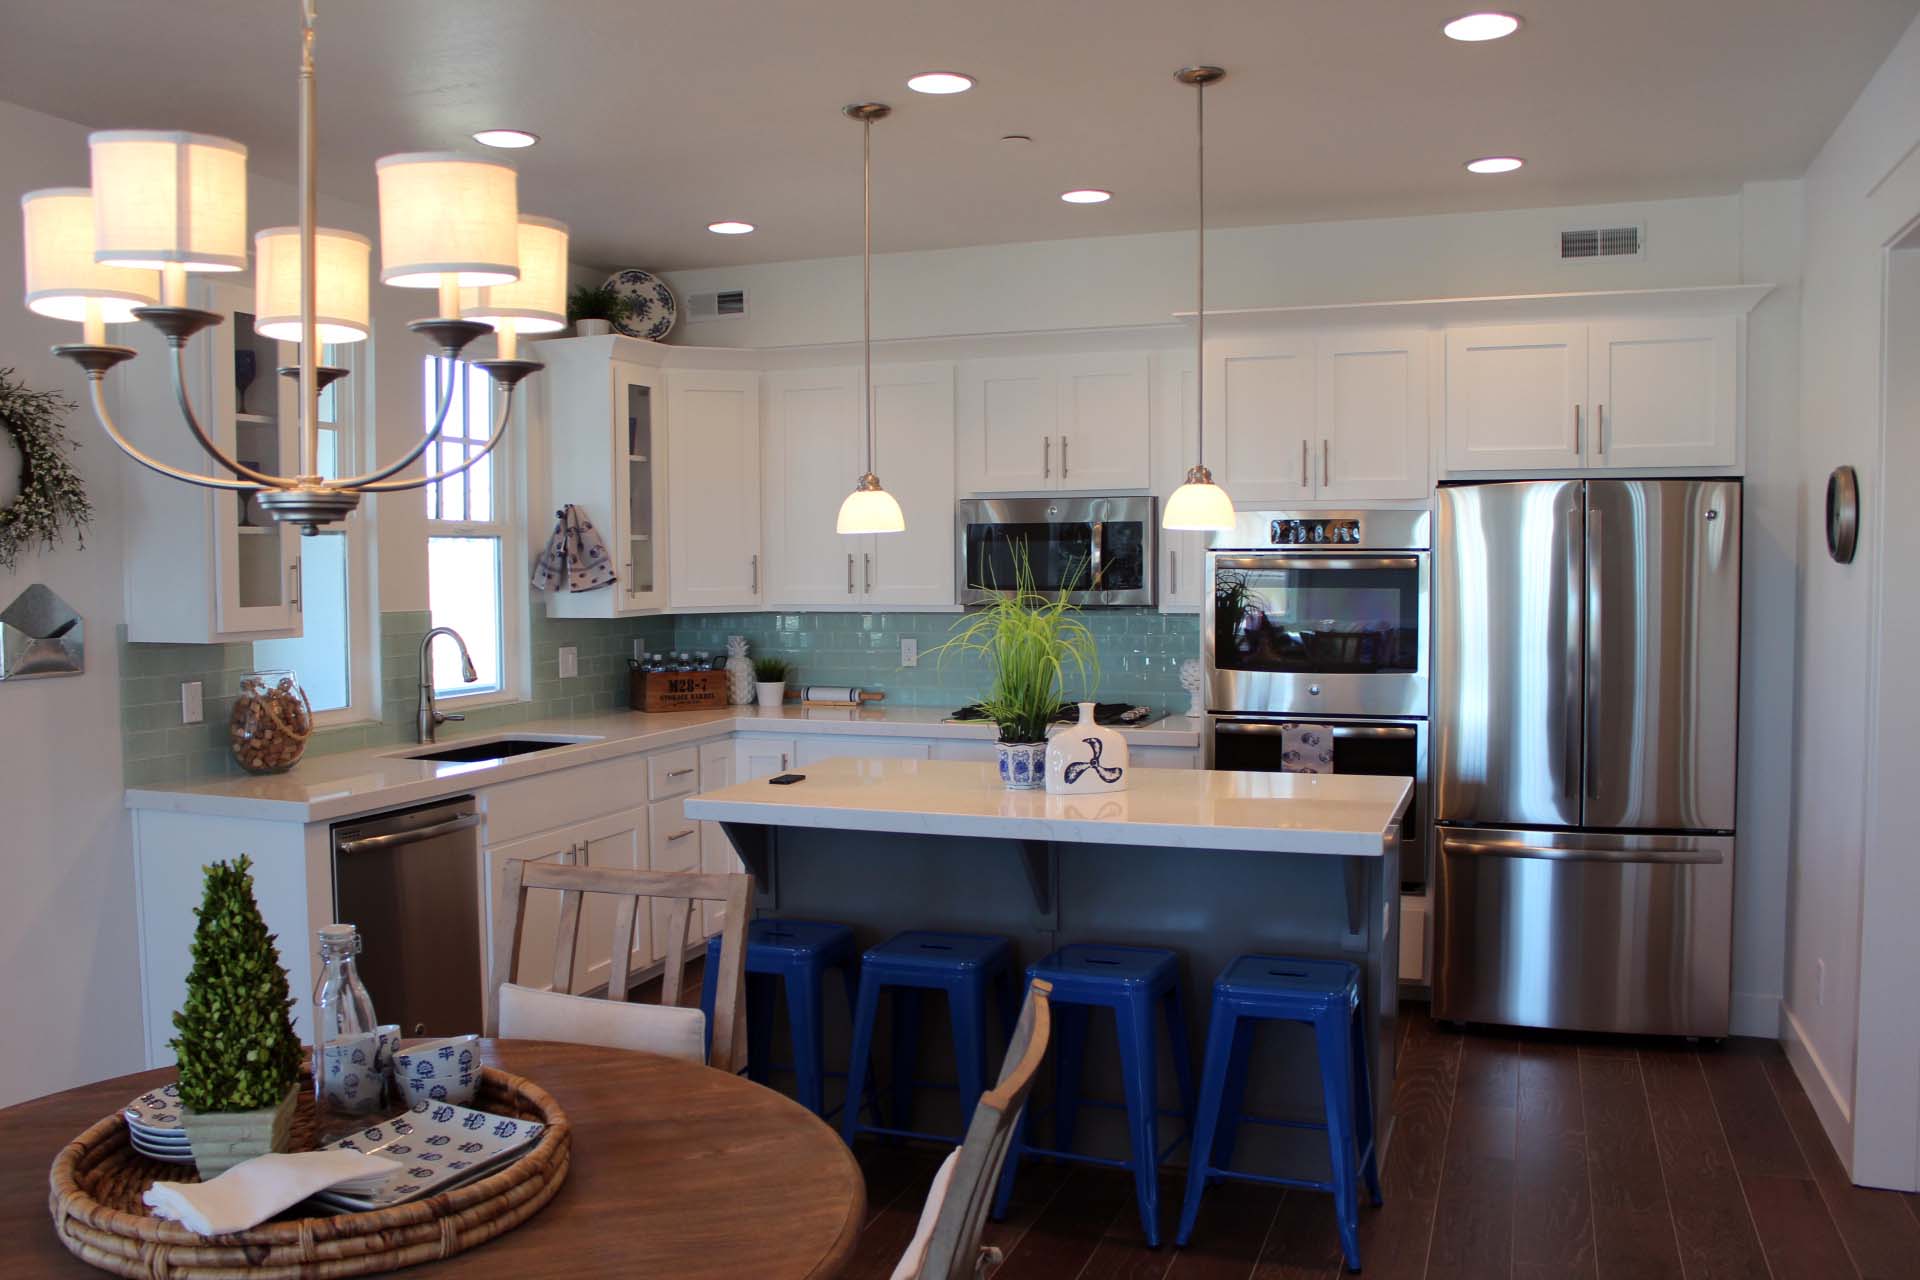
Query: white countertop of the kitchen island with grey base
[1174, 809]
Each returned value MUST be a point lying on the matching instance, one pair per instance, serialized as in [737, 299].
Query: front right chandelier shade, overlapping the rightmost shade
[443, 216]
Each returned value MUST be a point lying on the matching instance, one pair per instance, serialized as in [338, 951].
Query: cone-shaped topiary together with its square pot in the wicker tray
[235, 1039]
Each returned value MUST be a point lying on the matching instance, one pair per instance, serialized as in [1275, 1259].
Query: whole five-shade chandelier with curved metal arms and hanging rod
[170, 204]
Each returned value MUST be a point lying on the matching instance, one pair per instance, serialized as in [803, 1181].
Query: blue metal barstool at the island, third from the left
[1140, 985]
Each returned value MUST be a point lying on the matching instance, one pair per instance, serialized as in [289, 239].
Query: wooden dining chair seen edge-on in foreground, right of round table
[948, 1241]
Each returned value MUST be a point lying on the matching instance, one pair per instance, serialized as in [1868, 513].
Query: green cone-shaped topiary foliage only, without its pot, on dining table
[235, 1039]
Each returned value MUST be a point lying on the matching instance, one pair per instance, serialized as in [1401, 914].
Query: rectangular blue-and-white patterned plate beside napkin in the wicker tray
[439, 1147]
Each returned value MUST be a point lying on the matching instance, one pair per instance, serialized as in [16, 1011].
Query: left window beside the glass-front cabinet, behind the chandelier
[335, 569]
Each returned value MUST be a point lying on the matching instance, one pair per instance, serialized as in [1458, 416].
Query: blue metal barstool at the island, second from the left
[967, 966]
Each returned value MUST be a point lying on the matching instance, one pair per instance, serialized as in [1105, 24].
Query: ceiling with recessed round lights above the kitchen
[661, 116]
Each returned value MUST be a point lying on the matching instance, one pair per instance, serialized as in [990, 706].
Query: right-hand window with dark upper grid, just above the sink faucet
[469, 534]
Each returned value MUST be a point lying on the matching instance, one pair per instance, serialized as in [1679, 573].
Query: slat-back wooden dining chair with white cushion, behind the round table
[562, 1016]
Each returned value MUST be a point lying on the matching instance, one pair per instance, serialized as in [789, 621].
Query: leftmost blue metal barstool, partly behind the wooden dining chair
[798, 953]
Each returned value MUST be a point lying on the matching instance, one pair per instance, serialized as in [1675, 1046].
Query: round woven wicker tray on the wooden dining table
[99, 1179]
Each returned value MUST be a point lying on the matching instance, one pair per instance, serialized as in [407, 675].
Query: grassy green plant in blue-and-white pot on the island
[1030, 642]
